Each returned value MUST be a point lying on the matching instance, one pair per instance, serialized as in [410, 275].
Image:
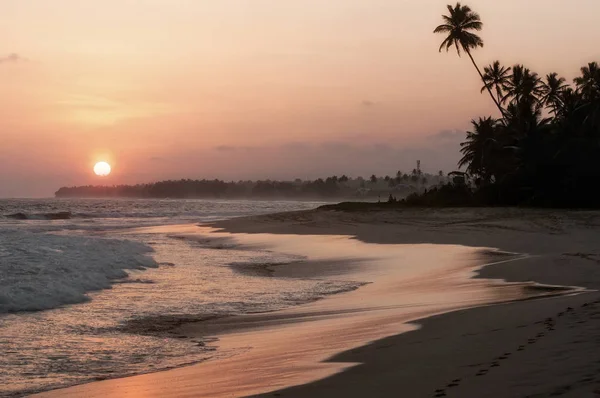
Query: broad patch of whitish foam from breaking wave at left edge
[43, 271]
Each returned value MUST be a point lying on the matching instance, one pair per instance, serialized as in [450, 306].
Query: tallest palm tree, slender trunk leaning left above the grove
[459, 27]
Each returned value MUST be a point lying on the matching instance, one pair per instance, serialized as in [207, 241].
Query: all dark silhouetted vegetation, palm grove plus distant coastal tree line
[542, 149]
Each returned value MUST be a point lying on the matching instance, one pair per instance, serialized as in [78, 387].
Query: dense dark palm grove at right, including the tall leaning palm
[543, 148]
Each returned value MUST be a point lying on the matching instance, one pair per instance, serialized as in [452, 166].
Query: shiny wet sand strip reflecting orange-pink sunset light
[290, 347]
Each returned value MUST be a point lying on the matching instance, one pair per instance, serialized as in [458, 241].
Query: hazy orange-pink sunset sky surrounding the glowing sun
[248, 89]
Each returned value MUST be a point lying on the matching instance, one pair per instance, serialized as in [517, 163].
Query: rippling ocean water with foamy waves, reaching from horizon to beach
[88, 292]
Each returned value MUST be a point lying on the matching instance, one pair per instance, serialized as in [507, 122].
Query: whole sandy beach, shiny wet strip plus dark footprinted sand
[442, 324]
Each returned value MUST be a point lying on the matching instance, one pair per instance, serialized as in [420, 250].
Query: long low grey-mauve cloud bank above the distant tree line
[313, 159]
